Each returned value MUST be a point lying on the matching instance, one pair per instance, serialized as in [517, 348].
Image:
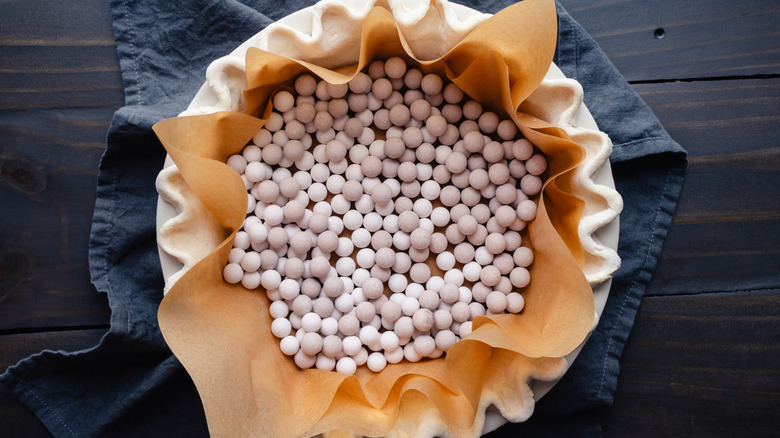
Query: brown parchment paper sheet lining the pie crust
[221, 332]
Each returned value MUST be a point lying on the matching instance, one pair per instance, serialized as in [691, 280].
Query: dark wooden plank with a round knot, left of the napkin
[49, 172]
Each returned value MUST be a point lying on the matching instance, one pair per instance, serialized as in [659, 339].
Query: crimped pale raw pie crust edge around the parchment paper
[557, 101]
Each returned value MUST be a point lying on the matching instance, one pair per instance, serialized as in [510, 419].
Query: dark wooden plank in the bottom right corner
[700, 365]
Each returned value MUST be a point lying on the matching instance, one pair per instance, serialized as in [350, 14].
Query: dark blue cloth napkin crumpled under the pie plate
[131, 385]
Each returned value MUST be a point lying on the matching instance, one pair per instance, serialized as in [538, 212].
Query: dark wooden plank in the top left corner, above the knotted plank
[59, 55]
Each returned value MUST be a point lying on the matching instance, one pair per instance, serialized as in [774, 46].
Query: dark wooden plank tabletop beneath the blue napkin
[704, 356]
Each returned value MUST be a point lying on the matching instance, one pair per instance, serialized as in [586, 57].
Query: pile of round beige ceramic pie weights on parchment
[353, 188]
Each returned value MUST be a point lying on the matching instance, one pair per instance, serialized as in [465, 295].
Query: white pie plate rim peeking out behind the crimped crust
[607, 235]
